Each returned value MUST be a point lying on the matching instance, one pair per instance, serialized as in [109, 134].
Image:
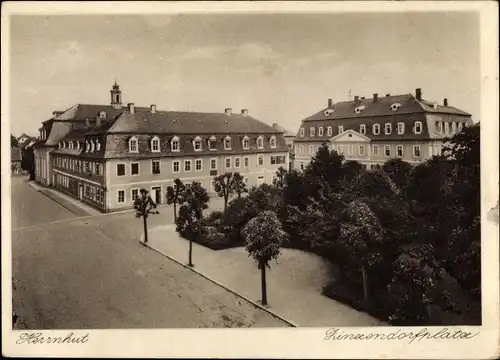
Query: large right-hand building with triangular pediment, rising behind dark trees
[373, 130]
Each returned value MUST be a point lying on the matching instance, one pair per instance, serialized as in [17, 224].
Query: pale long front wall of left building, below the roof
[254, 174]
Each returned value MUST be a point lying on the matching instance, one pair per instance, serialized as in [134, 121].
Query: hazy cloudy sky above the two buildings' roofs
[281, 67]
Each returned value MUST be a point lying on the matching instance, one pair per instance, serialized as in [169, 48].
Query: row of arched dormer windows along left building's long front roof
[133, 143]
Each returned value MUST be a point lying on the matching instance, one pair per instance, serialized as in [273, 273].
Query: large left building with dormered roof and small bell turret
[104, 154]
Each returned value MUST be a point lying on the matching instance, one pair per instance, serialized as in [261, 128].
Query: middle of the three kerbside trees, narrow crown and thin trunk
[191, 214]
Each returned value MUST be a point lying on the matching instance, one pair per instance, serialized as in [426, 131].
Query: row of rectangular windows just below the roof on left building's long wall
[229, 163]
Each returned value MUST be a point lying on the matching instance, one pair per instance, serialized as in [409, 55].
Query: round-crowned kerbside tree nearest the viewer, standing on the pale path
[264, 237]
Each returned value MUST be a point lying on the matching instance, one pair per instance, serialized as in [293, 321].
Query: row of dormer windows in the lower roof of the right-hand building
[417, 129]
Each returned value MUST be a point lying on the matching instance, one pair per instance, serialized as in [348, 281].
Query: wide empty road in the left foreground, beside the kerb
[93, 273]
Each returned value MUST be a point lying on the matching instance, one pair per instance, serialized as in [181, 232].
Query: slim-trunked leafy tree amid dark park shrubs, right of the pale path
[361, 233]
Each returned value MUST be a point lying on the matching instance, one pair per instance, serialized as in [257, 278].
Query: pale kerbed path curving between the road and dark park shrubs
[294, 284]
